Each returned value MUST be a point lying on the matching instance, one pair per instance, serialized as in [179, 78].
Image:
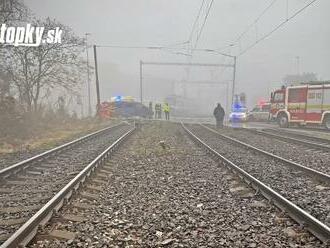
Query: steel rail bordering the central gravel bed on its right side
[316, 227]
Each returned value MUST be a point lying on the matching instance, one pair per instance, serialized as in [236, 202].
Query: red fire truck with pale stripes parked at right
[302, 104]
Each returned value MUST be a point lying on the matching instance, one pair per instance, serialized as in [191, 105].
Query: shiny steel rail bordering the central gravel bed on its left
[28, 230]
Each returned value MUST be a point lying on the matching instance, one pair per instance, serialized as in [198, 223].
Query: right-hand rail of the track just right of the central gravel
[320, 175]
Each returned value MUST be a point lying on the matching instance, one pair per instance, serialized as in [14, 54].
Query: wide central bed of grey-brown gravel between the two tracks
[164, 191]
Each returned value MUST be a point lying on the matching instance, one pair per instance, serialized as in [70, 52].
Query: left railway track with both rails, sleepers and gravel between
[31, 190]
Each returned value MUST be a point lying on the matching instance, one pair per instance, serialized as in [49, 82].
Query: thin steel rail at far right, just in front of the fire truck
[291, 139]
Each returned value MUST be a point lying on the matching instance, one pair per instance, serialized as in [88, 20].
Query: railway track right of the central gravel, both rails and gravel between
[292, 187]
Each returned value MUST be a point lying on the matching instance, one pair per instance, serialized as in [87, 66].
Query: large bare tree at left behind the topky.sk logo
[35, 71]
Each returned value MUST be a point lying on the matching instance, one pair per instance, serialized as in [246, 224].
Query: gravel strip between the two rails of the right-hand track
[301, 189]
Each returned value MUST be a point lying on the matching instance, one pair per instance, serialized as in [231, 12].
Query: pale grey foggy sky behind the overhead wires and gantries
[168, 22]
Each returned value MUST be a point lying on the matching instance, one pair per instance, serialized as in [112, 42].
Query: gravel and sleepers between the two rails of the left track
[29, 191]
